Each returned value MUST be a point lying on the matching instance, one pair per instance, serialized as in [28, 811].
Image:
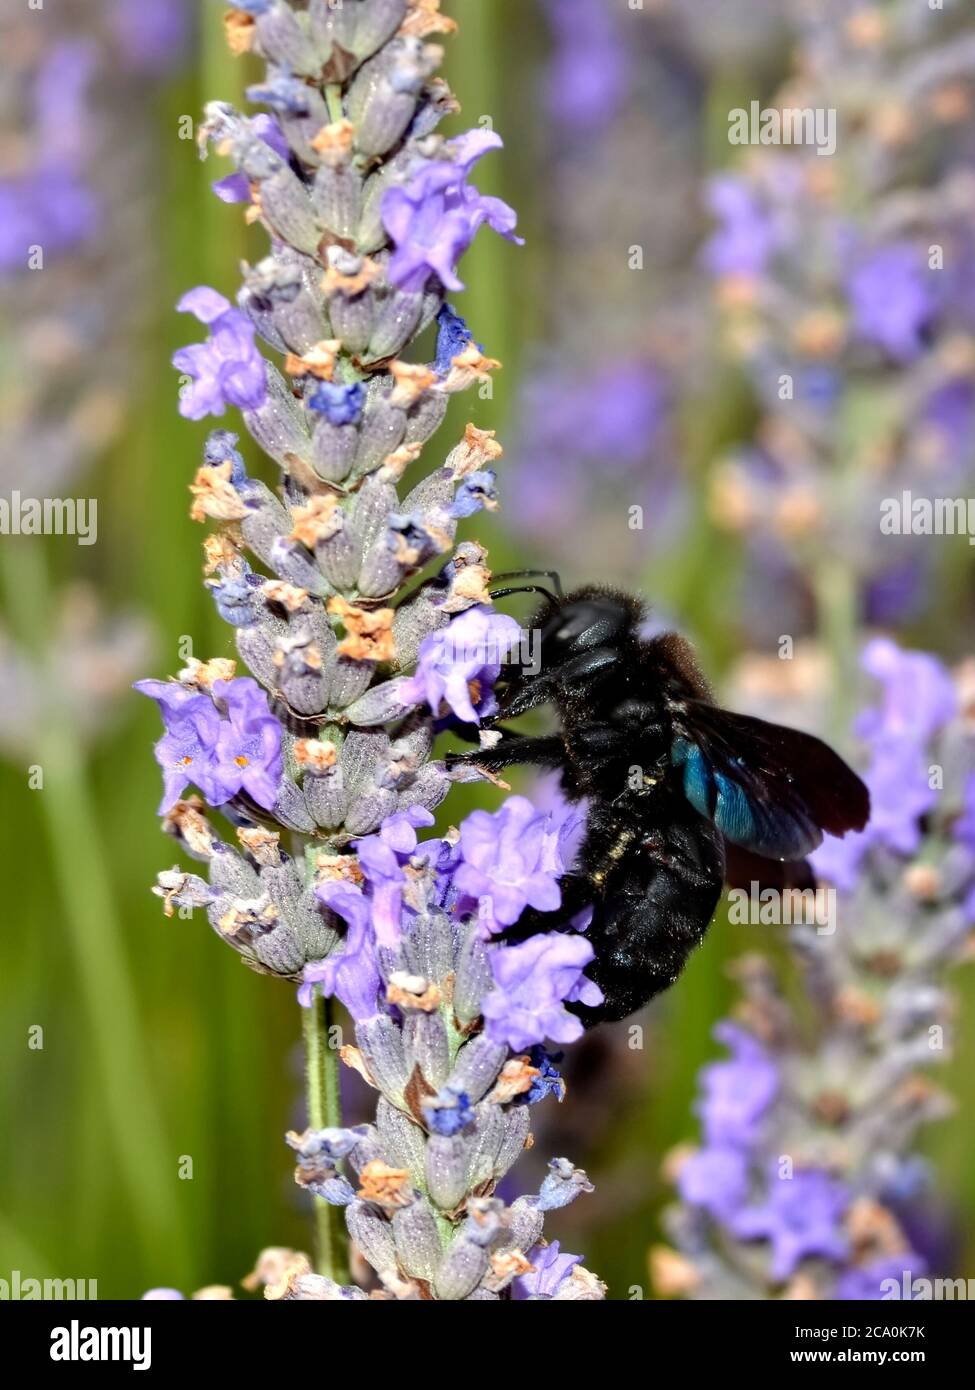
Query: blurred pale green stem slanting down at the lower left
[84, 882]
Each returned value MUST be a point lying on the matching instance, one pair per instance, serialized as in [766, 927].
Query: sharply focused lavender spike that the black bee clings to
[322, 761]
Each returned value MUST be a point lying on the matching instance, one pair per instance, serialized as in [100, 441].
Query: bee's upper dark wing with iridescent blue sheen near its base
[768, 789]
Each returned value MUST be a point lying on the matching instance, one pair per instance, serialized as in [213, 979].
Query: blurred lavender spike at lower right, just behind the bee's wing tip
[807, 1185]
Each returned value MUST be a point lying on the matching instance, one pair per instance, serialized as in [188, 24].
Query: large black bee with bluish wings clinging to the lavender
[682, 796]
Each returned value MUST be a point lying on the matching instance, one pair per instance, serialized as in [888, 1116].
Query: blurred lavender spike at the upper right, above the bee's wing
[844, 294]
